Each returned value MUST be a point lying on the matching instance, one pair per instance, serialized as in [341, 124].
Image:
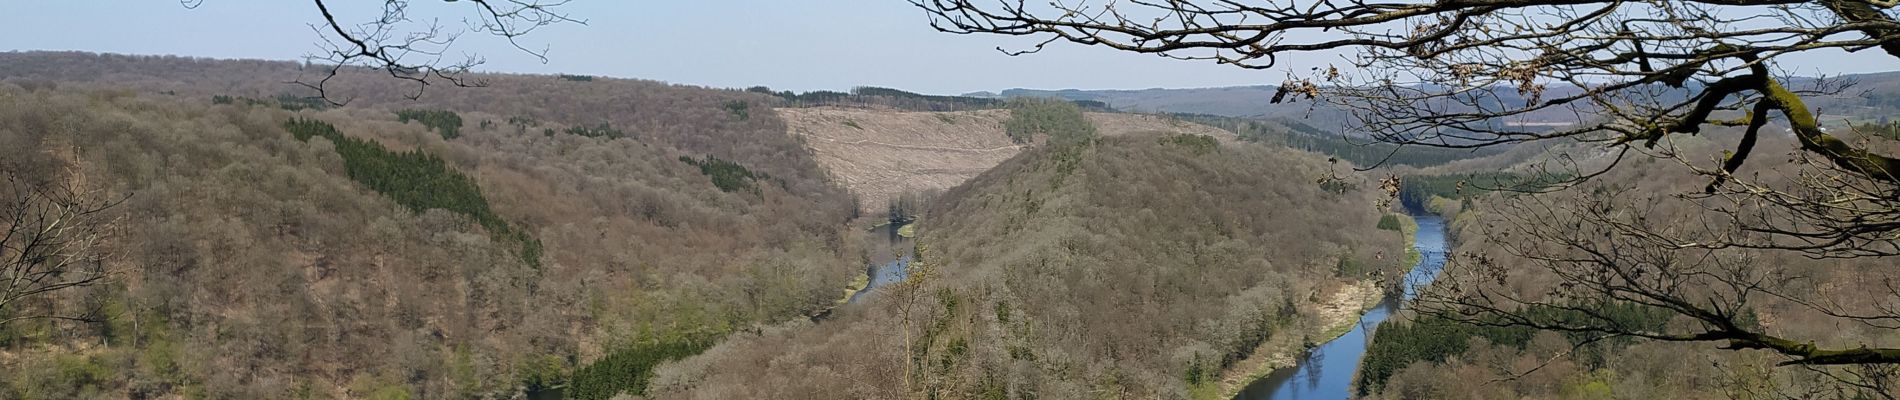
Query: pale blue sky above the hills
[788, 45]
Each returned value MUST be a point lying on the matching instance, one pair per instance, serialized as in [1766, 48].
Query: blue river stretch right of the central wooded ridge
[1327, 371]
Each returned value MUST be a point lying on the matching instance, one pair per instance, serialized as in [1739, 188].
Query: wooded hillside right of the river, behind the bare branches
[1430, 357]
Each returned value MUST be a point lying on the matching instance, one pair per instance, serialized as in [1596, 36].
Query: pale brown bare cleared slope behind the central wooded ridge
[881, 155]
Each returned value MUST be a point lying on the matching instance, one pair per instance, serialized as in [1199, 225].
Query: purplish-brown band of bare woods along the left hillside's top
[691, 120]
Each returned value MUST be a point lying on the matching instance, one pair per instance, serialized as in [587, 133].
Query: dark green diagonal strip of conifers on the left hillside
[417, 181]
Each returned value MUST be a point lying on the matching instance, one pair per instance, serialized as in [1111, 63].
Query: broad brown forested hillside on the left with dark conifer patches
[276, 249]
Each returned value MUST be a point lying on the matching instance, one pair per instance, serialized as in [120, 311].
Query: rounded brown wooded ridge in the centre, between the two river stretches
[1131, 266]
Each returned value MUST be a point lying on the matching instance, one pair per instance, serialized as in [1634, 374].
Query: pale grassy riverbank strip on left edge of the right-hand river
[1337, 318]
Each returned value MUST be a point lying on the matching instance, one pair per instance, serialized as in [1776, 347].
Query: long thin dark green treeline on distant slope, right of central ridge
[1363, 153]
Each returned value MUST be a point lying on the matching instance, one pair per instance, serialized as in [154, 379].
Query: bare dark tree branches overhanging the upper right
[1500, 73]
